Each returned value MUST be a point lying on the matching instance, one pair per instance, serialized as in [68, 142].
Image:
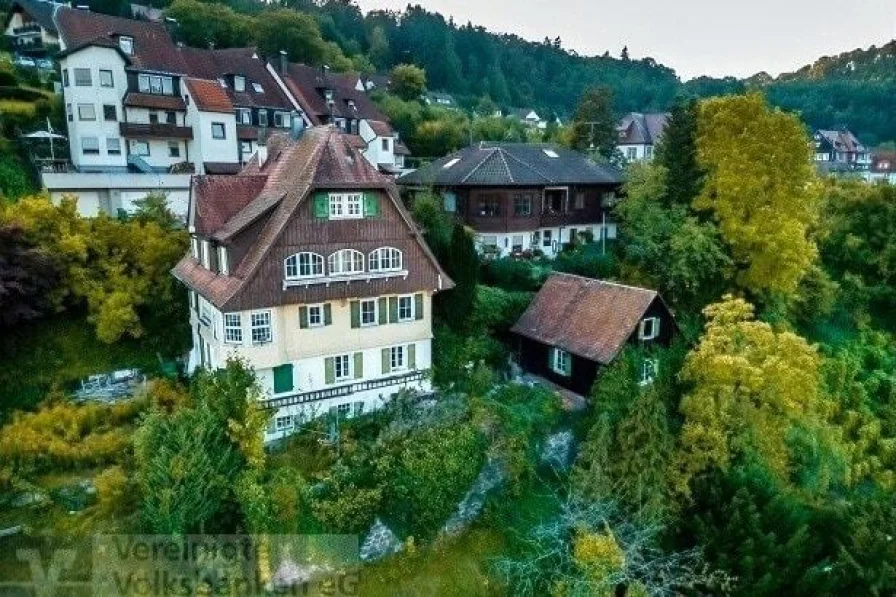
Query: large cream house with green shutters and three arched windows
[307, 265]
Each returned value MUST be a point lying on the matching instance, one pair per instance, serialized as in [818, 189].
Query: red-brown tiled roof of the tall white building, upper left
[153, 47]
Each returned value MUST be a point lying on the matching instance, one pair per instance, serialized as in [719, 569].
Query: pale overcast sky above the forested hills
[695, 37]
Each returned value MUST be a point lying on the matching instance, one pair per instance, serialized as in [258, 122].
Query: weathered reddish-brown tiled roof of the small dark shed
[586, 317]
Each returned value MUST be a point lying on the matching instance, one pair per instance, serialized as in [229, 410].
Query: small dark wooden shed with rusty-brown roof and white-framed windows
[576, 326]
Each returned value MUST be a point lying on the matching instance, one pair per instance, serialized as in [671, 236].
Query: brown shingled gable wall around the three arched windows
[306, 233]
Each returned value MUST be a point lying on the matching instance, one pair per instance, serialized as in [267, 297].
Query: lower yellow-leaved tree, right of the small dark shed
[751, 384]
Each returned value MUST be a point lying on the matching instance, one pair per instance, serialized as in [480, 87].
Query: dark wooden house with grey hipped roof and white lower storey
[523, 198]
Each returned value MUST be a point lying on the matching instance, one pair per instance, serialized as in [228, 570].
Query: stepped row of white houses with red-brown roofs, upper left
[145, 113]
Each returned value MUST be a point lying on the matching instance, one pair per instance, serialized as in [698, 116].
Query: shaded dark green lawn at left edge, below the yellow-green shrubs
[57, 352]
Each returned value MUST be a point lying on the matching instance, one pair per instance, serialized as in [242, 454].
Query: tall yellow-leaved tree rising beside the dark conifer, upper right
[760, 185]
